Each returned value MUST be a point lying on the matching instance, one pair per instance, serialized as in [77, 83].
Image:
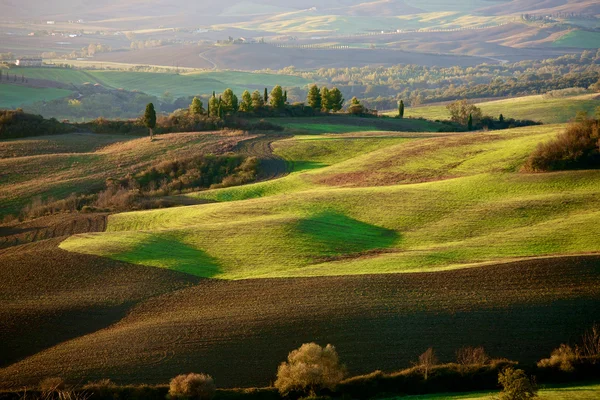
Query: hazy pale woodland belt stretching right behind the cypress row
[382, 87]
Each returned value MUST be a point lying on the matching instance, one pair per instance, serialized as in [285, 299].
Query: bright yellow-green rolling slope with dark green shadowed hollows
[422, 205]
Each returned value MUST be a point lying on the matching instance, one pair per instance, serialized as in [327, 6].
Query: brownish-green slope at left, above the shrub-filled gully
[76, 163]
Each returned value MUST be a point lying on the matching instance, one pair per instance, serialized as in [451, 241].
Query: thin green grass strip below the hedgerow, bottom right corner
[586, 392]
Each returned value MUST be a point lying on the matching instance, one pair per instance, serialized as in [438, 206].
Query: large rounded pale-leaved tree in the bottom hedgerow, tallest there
[310, 369]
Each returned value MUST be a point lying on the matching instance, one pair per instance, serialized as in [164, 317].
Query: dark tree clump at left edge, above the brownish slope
[18, 124]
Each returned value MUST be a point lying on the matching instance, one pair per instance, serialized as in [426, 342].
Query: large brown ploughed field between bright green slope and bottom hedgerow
[519, 310]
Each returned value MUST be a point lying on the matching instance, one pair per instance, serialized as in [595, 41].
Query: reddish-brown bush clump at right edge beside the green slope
[578, 147]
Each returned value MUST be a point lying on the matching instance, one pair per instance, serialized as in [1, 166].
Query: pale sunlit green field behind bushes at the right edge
[536, 108]
